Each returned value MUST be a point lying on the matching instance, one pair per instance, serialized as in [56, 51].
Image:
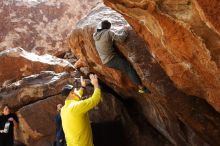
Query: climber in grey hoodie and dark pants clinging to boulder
[104, 39]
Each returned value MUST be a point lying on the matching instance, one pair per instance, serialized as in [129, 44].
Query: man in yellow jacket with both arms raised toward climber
[74, 113]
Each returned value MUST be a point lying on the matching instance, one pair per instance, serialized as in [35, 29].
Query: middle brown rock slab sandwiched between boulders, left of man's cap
[33, 88]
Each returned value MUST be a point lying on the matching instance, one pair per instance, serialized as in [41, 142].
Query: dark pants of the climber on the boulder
[123, 65]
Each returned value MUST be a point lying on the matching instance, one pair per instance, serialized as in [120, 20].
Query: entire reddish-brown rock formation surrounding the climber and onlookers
[173, 46]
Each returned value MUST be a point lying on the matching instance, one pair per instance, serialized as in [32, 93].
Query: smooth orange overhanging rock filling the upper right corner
[182, 37]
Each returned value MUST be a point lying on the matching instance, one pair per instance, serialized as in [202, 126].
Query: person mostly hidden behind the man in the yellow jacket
[60, 137]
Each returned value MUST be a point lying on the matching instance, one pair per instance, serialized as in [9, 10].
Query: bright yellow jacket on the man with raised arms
[75, 119]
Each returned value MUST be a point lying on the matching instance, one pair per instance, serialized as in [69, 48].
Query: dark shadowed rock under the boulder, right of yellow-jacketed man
[117, 121]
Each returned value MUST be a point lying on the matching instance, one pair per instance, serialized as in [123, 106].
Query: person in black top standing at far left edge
[8, 121]
